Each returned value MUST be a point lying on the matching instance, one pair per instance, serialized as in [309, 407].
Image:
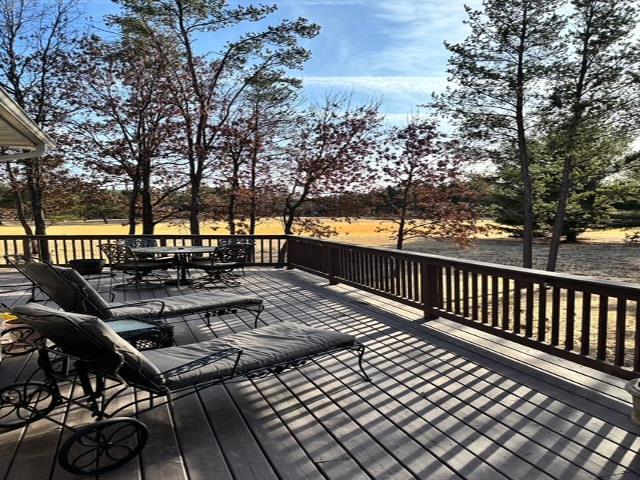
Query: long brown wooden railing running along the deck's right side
[591, 322]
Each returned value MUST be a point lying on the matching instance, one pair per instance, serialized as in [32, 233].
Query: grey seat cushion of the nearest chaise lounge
[261, 347]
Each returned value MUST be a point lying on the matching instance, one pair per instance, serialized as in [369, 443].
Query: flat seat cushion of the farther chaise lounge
[183, 305]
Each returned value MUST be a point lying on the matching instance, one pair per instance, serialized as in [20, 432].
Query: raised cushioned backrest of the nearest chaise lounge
[93, 341]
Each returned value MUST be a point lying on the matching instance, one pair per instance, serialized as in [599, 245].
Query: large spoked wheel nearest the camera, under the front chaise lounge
[103, 446]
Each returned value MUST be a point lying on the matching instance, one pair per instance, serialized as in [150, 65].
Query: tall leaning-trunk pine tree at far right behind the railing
[594, 90]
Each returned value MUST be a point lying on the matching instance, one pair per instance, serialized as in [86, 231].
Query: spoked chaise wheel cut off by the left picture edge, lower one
[23, 403]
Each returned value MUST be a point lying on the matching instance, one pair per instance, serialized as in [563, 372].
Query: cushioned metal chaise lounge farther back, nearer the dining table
[73, 293]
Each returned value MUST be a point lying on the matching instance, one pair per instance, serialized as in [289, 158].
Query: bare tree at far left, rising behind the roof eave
[37, 41]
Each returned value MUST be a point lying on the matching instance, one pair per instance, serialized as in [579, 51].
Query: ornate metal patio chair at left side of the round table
[122, 259]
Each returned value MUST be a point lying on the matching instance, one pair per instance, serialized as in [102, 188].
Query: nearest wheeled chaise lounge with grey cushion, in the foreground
[102, 367]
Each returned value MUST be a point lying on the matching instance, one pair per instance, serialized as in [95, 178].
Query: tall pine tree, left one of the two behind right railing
[498, 72]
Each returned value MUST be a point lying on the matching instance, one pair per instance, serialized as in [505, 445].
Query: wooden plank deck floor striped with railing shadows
[445, 402]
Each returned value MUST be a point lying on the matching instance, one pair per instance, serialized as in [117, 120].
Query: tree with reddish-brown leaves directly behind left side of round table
[127, 128]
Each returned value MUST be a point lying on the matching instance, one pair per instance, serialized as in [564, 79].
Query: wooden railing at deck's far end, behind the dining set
[269, 250]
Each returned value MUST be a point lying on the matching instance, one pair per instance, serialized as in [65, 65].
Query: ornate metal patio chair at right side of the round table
[219, 266]
